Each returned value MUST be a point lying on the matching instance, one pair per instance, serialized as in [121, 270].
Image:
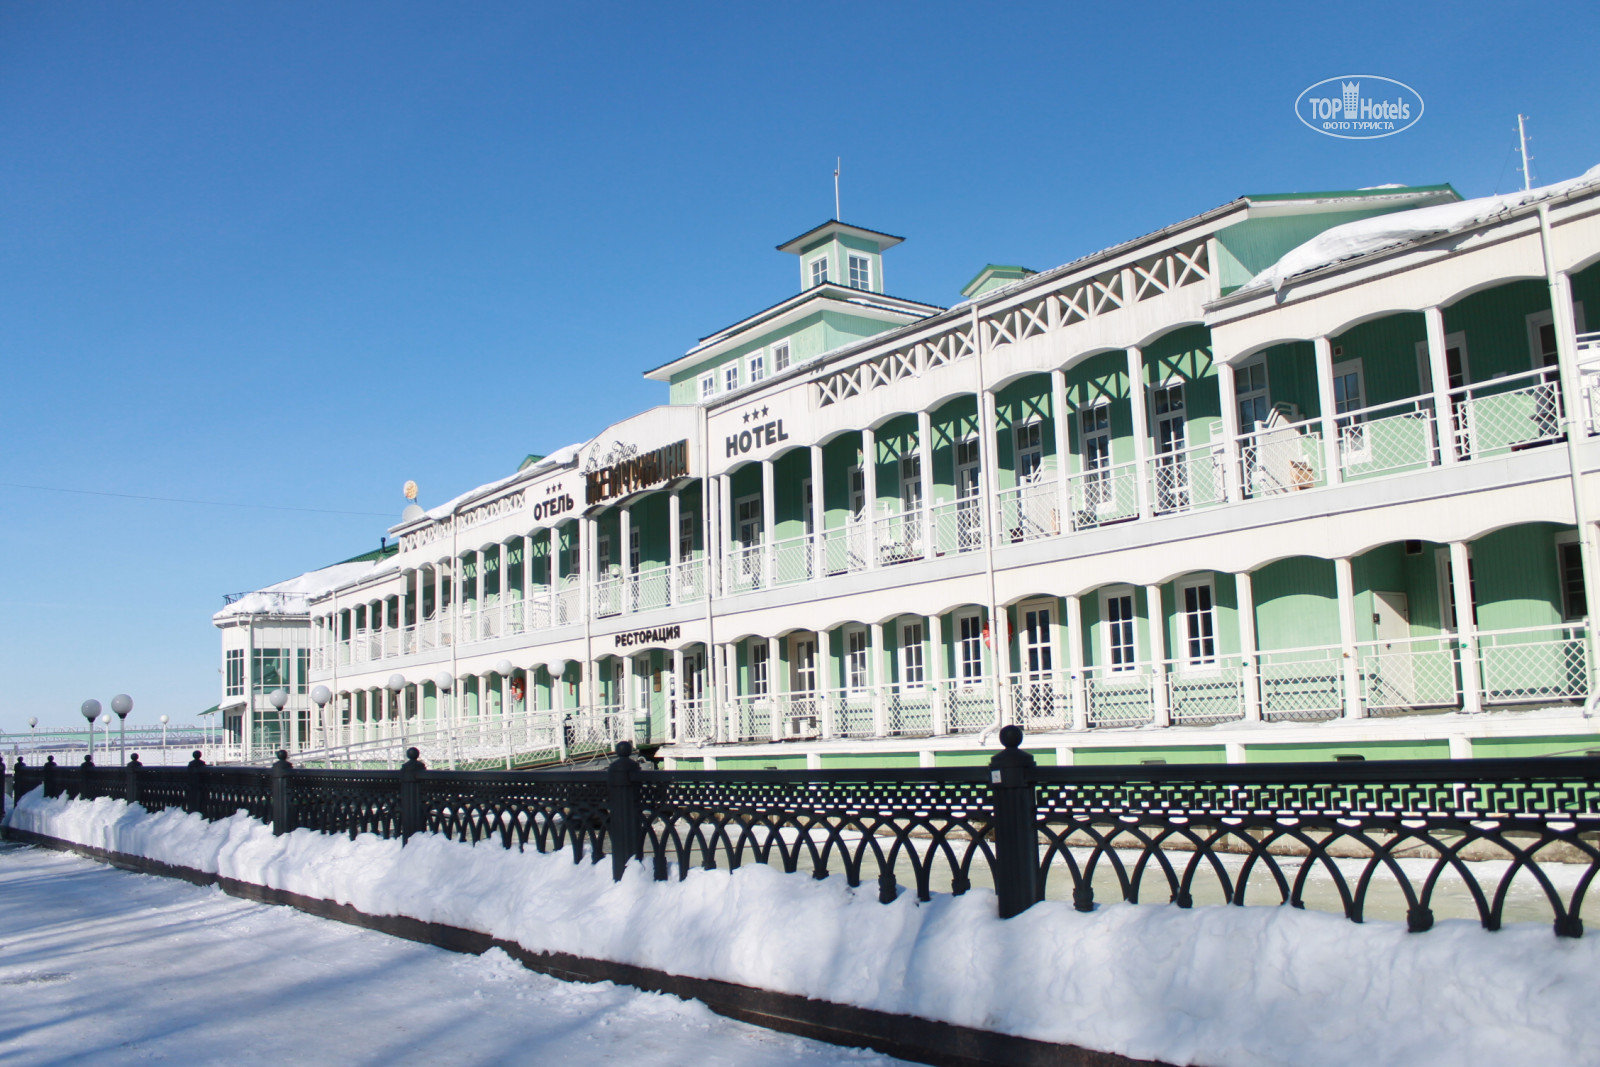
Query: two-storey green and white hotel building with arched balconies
[1303, 478]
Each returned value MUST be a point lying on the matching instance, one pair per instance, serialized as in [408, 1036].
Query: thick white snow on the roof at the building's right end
[1404, 228]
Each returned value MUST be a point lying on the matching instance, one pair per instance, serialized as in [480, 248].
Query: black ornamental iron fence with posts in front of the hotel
[1498, 841]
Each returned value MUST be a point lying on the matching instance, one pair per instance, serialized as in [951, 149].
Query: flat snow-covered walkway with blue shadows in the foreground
[106, 967]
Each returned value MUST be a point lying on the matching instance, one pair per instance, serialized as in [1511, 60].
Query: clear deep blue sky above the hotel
[295, 255]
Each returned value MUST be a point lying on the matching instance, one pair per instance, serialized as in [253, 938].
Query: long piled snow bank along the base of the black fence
[1220, 986]
